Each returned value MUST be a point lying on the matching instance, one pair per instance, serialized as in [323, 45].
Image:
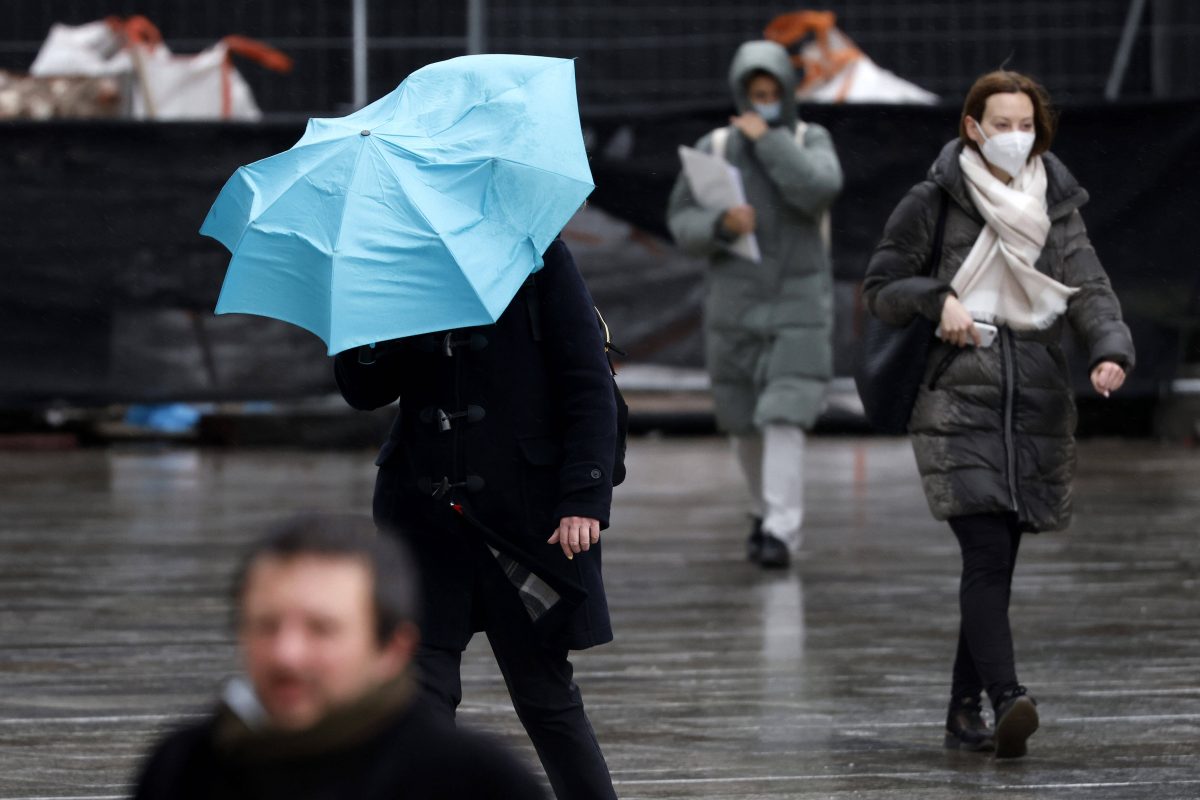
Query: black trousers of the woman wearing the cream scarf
[985, 660]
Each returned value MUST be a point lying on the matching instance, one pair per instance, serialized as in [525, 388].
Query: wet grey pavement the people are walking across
[829, 681]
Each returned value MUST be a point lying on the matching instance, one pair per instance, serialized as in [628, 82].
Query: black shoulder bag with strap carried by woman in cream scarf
[892, 360]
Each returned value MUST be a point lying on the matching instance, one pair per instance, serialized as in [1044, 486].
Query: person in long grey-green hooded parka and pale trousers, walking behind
[767, 324]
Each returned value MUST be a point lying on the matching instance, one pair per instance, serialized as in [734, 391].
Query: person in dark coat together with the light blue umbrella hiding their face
[418, 237]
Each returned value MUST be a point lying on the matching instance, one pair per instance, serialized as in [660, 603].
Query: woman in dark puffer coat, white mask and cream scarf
[993, 426]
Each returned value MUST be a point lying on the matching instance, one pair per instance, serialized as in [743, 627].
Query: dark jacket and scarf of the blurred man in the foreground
[383, 748]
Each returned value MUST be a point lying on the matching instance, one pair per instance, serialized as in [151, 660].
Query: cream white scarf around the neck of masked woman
[999, 282]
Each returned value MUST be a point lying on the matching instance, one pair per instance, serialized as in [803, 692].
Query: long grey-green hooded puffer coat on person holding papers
[767, 326]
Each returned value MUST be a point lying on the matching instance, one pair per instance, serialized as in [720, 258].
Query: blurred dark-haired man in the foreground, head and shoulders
[326, 612]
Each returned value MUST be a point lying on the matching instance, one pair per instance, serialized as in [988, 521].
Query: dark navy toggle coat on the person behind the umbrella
[499, 437]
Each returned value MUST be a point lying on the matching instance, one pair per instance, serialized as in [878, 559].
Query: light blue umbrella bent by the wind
[424, 212]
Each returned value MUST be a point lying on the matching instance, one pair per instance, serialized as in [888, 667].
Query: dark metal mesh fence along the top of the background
[637, 57]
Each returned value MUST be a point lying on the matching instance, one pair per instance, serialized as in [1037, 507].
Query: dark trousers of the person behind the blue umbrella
[539, 681]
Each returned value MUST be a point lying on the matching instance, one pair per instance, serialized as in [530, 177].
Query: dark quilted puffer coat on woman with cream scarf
[993, 429]
